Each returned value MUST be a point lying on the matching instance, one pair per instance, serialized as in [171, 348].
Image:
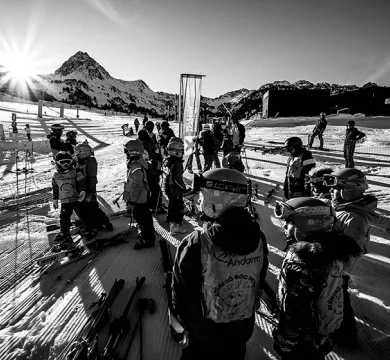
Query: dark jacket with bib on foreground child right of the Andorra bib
[311, 296]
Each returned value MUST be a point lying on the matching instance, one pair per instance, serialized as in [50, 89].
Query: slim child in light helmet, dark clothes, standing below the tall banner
[175, 186]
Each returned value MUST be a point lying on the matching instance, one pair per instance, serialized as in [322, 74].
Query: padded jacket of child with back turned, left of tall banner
[136, 186]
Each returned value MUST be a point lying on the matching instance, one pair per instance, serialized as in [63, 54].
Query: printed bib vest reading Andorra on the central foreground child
[230, 282]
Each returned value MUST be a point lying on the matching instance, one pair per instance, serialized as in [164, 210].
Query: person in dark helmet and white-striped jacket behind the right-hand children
[298, 166]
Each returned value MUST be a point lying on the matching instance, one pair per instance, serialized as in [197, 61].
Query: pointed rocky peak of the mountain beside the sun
[82, 64]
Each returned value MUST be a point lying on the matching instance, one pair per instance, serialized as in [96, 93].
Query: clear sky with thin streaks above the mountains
[236, 44]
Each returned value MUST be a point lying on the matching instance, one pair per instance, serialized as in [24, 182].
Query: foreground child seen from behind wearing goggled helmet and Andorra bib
[219, 271]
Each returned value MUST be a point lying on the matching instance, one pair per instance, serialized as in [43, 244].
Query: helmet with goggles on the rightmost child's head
[351, 182]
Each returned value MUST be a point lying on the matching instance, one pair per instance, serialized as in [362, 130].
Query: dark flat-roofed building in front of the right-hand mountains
[286, 103]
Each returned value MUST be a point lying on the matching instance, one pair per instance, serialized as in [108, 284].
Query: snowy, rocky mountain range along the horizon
[82, 80]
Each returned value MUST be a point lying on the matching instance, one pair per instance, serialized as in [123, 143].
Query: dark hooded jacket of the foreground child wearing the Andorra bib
[221, 244]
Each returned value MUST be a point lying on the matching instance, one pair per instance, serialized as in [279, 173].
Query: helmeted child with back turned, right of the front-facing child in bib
[90, 208]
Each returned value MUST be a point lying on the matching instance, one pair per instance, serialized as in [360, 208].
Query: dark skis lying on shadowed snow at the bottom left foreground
[86, 344]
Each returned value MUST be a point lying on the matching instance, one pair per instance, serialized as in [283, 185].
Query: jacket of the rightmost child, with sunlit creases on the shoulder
[355, 219]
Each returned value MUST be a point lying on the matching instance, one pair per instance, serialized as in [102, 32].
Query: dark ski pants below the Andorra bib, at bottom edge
[197, 349]
